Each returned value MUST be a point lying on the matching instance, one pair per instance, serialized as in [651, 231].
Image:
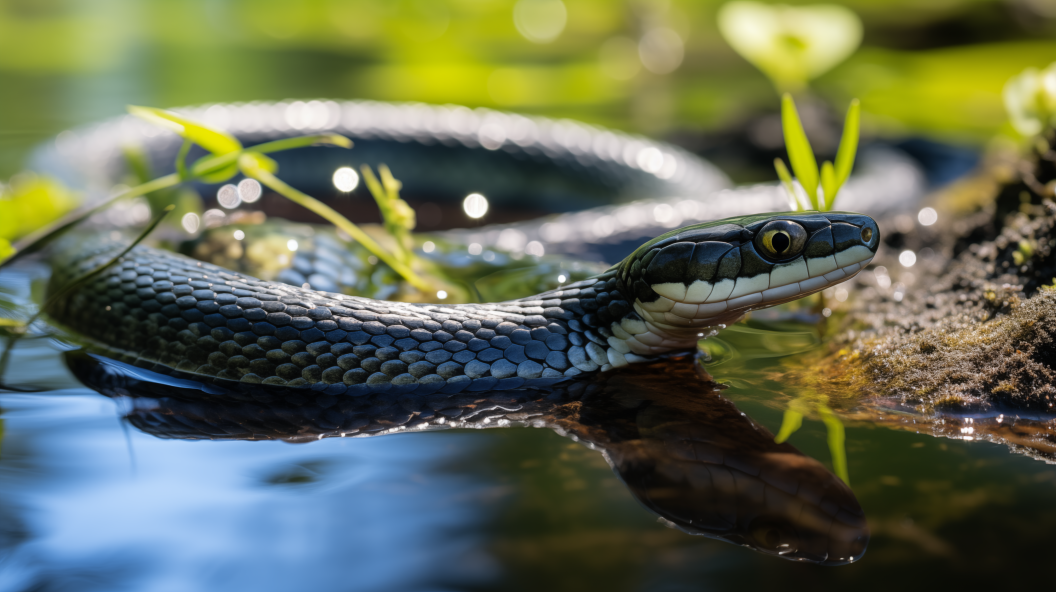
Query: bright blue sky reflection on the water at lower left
[105, 508]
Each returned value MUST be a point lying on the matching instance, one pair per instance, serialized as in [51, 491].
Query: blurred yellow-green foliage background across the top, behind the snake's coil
[934, 68]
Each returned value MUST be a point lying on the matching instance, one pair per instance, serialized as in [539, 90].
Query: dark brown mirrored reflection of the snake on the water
[683, 450]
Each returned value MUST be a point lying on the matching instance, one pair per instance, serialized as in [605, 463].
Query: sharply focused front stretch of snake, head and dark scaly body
[171, 314]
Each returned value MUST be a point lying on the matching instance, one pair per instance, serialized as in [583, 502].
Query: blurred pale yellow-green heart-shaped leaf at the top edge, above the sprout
[790, 45]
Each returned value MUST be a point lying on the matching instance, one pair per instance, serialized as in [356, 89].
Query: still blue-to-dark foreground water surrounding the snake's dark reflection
[90, 504]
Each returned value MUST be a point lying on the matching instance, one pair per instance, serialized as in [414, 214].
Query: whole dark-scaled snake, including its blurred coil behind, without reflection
[175, 315]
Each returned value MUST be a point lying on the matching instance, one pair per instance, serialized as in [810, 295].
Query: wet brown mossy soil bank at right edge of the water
[971, 328]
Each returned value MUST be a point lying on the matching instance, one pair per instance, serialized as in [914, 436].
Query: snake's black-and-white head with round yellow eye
[708, 275]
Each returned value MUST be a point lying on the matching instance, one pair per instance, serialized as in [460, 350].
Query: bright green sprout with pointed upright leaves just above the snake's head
[831, 178]
